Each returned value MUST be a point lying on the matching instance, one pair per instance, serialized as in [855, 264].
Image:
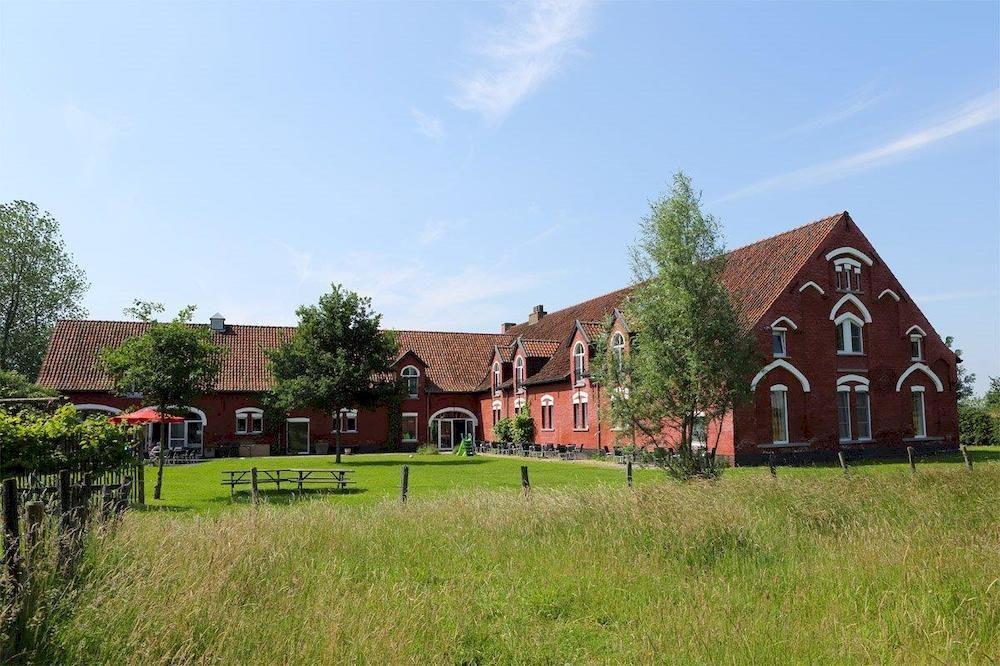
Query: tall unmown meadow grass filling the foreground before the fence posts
[882, 566]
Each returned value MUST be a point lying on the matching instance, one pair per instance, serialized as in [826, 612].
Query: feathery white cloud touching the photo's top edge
[528, 49]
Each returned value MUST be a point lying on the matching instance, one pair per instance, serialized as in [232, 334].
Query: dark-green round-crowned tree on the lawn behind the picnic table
[338, 358]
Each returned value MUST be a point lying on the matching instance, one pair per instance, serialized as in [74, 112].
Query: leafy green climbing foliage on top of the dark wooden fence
[44, 443]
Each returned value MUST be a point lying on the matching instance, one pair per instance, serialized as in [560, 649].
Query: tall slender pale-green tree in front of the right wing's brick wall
[689, 359]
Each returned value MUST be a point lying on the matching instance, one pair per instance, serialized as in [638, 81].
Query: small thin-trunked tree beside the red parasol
[169, 365]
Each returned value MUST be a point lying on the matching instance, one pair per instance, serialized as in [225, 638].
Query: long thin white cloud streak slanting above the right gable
[982, 111]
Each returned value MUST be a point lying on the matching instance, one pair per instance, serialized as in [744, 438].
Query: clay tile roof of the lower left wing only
[455, 360]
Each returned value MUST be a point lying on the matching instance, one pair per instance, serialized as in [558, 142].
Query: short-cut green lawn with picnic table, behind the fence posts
[198, 487]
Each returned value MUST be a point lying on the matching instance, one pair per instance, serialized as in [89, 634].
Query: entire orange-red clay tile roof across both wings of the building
[456, 362]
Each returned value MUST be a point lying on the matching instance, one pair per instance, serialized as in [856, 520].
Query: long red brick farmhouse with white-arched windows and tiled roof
[847, 361]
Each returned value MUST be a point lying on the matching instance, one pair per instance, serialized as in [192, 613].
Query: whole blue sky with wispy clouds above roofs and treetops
[462, 162]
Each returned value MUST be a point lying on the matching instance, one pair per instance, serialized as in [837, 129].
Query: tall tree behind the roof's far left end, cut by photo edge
[39, 283]
